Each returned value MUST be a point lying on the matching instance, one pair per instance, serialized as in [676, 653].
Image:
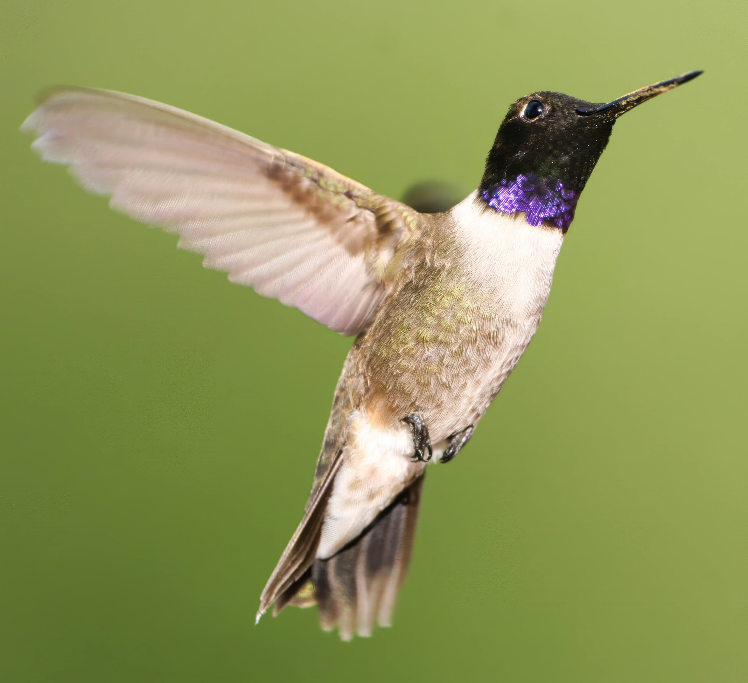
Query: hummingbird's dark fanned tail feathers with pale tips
[357, 586]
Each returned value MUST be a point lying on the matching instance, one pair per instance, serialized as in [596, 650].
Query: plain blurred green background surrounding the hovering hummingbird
[160, 426]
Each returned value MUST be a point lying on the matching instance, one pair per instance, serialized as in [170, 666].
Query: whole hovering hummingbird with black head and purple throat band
[442, 305]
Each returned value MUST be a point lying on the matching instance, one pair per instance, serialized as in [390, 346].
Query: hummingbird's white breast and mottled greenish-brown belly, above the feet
[444, 343]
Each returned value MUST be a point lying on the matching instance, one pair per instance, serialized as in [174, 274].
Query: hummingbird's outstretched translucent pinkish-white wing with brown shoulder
[285, 225]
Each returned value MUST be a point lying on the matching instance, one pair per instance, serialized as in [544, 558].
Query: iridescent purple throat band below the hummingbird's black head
[542, 200]
